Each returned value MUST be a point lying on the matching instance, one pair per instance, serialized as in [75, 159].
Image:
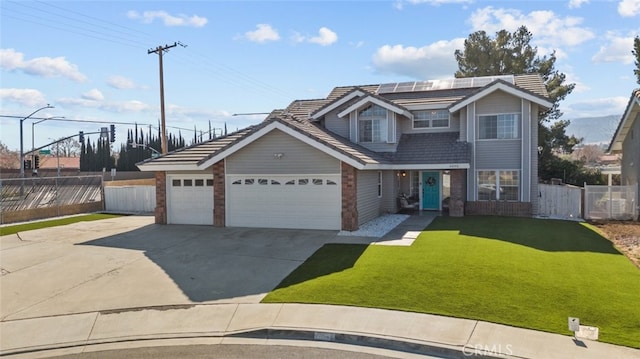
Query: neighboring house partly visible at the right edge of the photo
[626, 140]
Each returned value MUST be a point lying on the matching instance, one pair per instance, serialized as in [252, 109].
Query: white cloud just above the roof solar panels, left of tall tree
[434, 61]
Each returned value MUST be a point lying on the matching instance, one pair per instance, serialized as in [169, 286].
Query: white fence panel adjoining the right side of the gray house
[560, 201]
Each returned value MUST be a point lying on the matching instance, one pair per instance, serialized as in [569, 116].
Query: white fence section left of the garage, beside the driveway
[130, 199]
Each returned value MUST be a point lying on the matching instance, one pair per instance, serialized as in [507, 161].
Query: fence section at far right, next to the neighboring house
[610, 202]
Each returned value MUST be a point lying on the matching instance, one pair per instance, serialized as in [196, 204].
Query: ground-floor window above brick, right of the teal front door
[498, 185]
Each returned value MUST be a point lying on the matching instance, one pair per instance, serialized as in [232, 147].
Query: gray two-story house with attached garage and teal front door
[468, 144]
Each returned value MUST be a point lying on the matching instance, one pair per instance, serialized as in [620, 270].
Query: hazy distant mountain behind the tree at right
[594, 130]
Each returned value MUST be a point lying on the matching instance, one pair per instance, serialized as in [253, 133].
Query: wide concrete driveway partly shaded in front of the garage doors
[130, 262]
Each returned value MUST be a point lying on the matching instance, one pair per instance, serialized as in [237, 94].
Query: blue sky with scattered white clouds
[91, 60]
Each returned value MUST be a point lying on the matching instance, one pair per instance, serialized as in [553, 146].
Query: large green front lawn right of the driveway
[517, 271]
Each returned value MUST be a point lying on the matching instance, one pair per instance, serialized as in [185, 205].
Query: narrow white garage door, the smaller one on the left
[190, 199]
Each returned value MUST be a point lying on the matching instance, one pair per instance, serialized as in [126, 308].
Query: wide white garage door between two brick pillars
[284, 201]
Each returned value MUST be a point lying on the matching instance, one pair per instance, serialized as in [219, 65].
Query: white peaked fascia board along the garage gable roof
[288, 130]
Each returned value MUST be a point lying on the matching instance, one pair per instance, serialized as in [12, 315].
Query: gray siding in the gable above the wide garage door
[298, 157]
